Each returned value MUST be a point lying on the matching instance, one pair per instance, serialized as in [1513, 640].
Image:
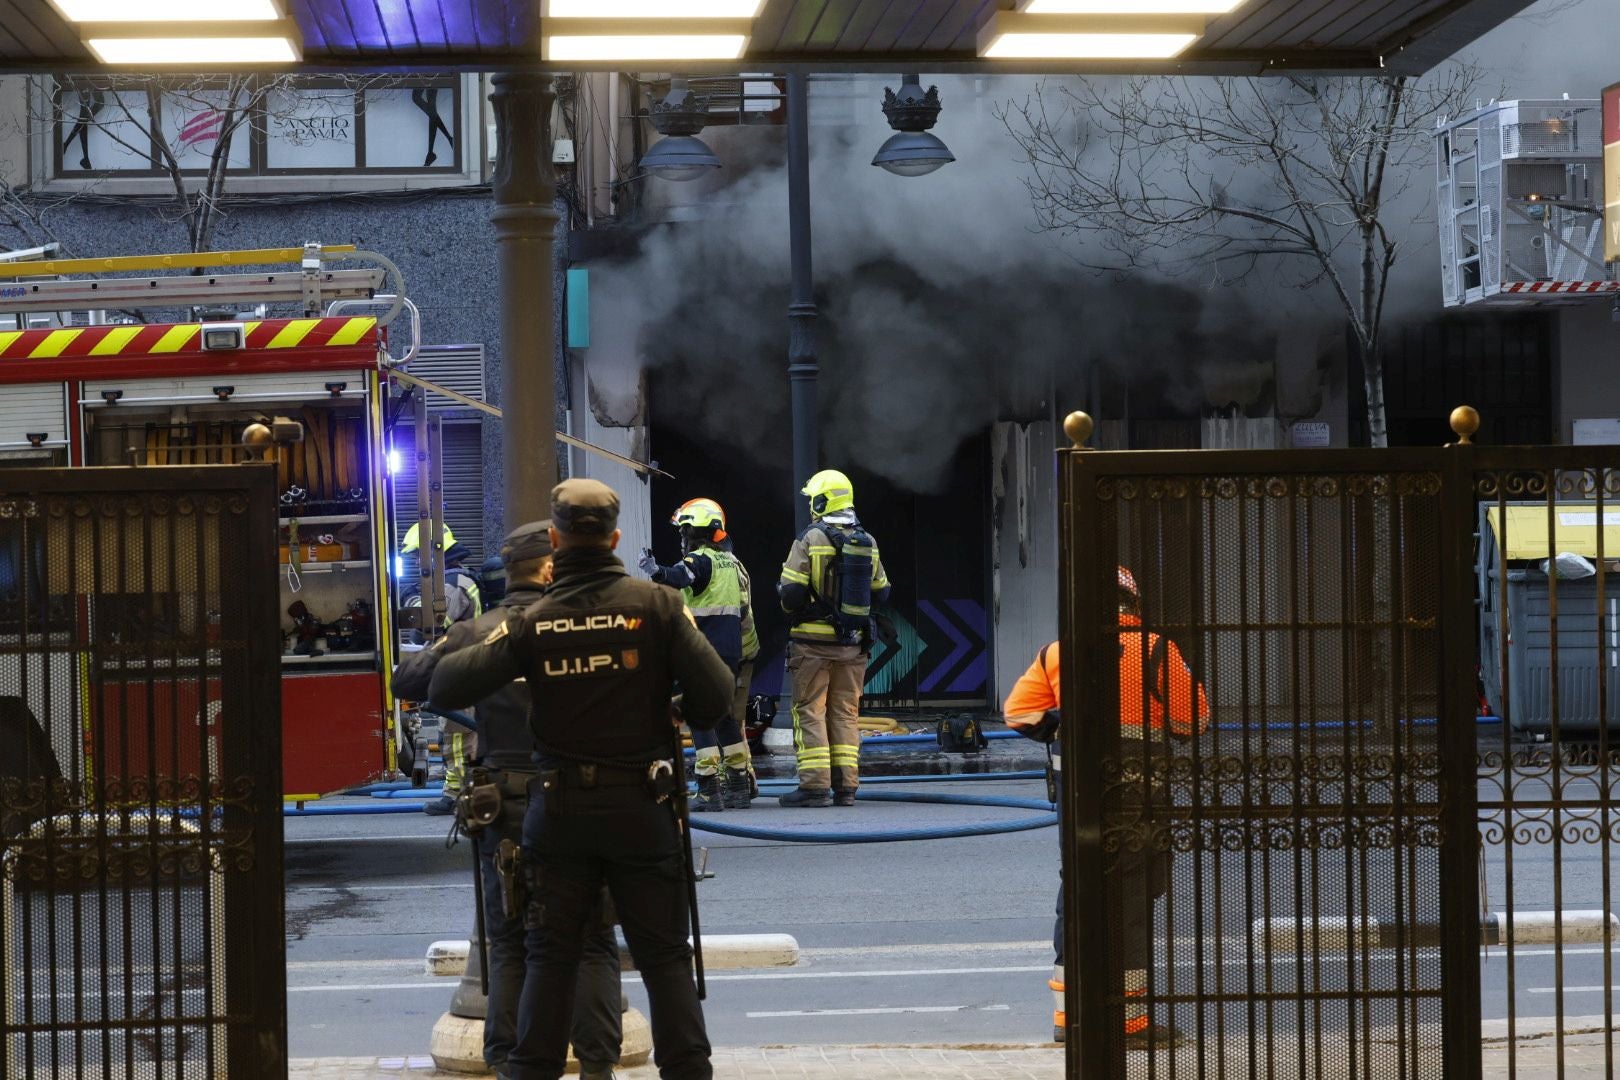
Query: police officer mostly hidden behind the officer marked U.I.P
[506, 752]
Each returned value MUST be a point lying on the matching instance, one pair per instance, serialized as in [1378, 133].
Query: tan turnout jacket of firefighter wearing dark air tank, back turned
[816, 587]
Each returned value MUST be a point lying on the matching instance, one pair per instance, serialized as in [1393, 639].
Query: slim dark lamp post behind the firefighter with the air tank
[801, 307]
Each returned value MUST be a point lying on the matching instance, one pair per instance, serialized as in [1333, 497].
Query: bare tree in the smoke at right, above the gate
[1232, 174]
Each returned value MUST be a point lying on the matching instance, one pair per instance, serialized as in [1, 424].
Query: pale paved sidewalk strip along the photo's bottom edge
[1584, 1060]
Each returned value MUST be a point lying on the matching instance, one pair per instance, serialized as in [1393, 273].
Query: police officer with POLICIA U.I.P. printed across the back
[602, 653]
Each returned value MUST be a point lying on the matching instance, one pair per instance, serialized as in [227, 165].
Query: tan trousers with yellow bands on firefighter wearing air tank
[827, 684]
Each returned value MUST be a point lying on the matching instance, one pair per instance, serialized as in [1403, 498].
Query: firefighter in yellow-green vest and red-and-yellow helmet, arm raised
[715, 585]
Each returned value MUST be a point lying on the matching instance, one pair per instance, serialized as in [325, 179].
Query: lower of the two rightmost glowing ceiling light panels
[1021, 36]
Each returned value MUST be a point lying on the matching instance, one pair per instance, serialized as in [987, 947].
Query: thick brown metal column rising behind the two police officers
[526, 219]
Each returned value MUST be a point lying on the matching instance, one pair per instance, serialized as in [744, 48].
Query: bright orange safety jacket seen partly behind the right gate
[1175, 699]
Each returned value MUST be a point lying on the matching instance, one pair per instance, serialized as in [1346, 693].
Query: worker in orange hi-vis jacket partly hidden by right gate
[1161, 702]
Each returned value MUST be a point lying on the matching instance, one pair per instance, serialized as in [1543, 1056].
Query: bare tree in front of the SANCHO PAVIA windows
[190, 132]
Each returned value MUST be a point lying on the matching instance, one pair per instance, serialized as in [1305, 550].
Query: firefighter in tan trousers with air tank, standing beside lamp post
[830, 582]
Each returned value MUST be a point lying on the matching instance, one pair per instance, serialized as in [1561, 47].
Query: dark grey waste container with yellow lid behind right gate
[1516, 550]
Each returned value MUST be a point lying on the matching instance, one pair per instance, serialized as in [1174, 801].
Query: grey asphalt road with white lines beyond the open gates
[903, 943]
